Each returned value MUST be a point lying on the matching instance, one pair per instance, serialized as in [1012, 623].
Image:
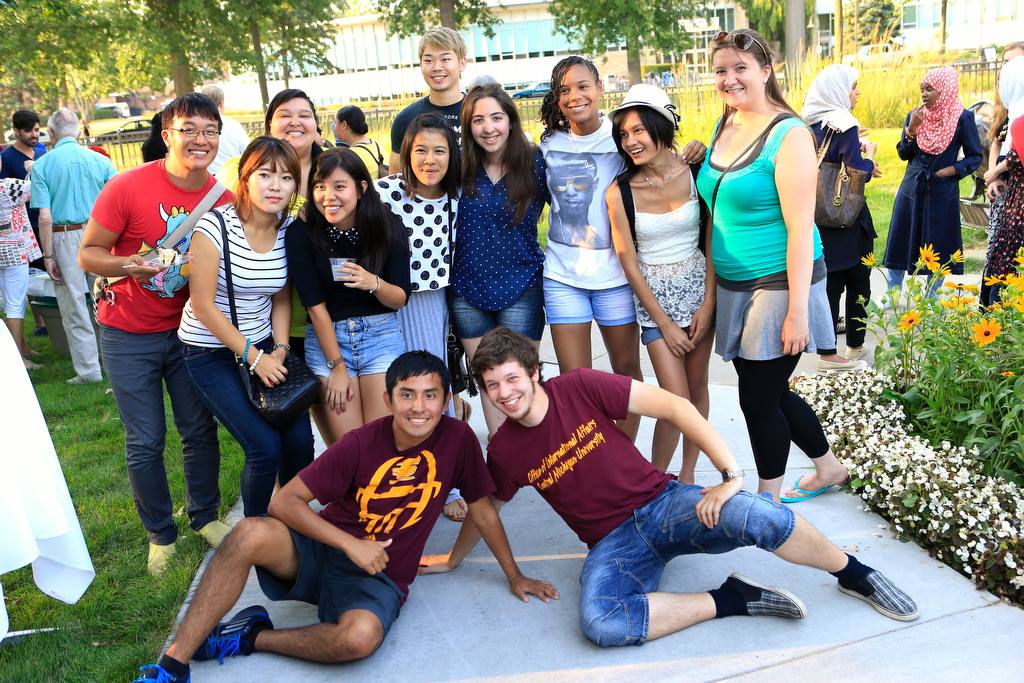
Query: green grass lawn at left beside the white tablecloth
[125, 616]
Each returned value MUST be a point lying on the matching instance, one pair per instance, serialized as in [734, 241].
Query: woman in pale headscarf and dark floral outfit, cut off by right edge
[1006, 177]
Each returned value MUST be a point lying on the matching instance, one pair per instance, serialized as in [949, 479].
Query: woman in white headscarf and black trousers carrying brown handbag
[828, 111]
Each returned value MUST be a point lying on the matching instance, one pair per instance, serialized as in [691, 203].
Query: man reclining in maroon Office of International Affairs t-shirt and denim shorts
[561, 438]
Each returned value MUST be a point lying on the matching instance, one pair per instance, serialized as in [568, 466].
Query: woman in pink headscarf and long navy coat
[927, 207]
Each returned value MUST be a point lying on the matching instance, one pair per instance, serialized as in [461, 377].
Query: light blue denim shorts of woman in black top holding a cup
[368, 345]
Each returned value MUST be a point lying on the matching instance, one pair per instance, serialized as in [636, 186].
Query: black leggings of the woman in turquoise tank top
[776, 416]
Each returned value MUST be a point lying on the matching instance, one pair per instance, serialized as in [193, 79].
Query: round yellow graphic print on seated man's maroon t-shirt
[398, 479]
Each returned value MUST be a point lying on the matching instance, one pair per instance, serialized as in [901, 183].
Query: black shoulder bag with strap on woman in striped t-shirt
[281, 405]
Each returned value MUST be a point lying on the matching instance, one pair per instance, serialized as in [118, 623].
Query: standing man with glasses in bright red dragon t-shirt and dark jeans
[136, 214]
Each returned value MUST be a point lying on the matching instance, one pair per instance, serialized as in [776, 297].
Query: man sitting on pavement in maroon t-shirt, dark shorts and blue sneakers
[383, 487]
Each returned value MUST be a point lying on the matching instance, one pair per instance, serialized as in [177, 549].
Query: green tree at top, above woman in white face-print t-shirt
[596, 25]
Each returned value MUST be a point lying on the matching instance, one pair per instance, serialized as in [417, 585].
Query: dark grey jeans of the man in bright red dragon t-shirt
[137, 366]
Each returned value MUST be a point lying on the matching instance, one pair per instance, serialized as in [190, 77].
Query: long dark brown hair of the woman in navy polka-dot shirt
[519, 151]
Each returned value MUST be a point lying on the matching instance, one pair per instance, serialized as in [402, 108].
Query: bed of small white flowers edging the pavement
[937, 496]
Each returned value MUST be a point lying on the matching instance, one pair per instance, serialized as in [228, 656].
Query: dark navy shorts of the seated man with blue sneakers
[327, 578]
